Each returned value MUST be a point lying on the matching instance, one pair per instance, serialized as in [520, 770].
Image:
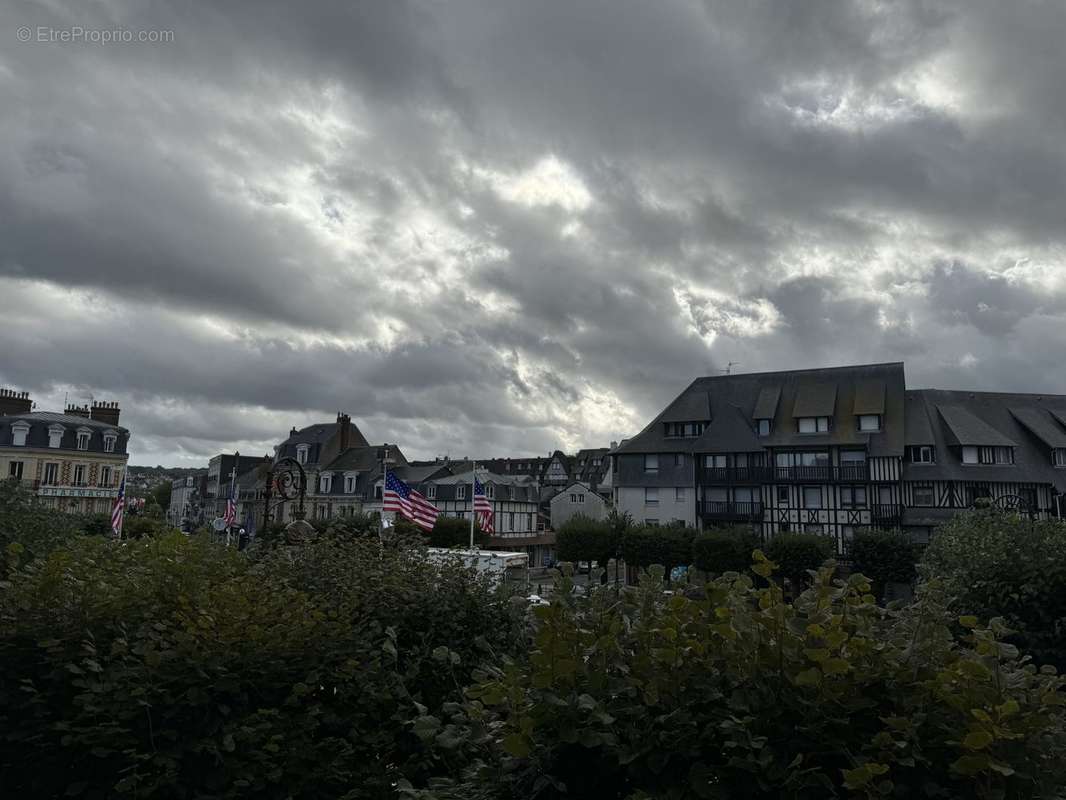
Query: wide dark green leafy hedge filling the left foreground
[173, 668]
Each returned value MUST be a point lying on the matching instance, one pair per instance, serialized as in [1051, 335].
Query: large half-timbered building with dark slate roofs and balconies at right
[833, 451]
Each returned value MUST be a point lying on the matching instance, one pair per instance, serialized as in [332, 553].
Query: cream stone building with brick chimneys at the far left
[73, 462]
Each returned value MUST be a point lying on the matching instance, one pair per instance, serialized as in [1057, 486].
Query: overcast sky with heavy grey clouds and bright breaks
[505, 227]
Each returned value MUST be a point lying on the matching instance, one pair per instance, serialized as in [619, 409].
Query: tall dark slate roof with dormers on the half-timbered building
[746, 391]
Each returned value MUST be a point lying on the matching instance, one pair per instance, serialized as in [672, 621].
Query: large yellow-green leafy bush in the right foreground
[737, 694]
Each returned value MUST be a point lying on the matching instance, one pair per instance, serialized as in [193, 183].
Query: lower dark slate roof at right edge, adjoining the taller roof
[993, 411]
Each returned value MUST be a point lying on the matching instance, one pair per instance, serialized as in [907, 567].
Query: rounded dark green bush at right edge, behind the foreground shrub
[1004, 565]
